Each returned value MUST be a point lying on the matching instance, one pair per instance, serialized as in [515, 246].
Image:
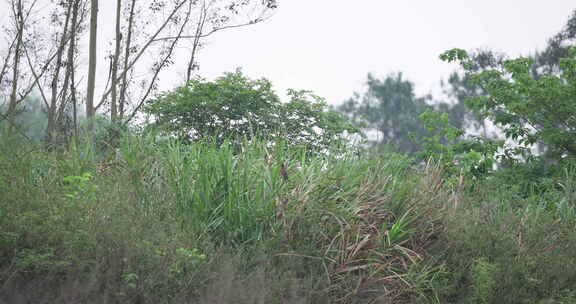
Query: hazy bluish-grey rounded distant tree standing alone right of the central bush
[391, 108]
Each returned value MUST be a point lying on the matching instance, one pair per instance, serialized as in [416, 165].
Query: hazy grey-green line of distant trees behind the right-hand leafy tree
[389, 108]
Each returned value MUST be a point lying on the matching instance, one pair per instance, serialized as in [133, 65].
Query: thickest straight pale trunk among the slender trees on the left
[90, 110]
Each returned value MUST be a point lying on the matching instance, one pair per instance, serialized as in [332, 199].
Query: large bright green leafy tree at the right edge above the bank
[529, 99]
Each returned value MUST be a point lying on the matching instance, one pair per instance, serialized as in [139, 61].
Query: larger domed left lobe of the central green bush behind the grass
[231, 105]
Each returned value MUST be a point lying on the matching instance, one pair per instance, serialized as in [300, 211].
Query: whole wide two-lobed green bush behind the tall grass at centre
[234, 106]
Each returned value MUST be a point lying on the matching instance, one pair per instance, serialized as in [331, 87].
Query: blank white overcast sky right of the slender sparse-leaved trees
[329, 46]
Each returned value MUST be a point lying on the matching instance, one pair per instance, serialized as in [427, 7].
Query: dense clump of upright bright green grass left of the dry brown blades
[232, 195]
